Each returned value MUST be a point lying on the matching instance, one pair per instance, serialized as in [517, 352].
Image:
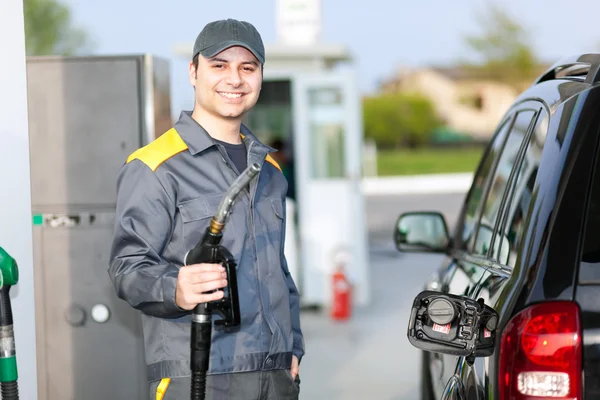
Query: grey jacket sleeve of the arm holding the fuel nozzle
[143, 224]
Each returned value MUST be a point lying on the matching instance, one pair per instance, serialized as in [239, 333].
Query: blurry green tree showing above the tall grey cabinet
[49, 29]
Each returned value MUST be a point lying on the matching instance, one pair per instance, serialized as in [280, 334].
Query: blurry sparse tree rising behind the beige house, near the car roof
[504, 49]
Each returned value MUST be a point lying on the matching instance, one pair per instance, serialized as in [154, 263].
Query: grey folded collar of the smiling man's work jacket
[198, 139]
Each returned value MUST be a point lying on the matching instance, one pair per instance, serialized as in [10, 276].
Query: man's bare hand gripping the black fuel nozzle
[194, 280]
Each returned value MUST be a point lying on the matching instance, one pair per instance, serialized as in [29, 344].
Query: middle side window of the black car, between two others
[499, 182]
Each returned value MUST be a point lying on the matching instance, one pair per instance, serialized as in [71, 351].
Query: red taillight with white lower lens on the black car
[540, 353]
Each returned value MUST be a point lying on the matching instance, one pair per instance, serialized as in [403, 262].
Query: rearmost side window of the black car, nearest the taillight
[518, 212]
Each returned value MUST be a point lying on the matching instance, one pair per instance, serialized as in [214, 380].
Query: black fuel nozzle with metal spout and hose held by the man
[209, 250]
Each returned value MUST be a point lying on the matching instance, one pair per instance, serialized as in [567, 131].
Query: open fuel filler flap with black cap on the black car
[450, 324]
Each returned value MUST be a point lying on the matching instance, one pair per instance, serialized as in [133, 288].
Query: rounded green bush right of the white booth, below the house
[396, 120]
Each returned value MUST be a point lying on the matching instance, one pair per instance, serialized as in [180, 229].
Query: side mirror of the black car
[421, 231]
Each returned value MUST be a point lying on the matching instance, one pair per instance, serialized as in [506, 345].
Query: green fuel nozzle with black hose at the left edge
[9, 275]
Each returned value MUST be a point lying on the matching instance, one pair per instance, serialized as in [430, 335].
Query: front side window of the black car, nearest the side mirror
[474, 197]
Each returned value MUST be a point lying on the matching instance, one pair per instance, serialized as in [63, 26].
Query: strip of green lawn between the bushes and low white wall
[428, 161]
